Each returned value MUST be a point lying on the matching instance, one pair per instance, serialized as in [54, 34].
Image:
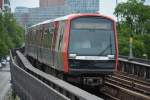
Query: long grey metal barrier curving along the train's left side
[32, 84]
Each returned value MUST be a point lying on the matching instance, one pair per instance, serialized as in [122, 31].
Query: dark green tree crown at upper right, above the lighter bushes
[135, 15]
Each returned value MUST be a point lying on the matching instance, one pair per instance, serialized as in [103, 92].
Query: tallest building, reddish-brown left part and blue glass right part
[79, 6]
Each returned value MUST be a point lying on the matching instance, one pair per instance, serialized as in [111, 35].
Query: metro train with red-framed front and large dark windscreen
[80, 47]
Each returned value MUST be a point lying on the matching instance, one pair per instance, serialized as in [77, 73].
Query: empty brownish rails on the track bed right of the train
[122, 87]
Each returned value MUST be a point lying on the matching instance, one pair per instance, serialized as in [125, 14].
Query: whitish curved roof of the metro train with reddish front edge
[67, 17]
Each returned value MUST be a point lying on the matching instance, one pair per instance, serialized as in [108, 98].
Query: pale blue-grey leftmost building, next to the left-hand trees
[21, 14]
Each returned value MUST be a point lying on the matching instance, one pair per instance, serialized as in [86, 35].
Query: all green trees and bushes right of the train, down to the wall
[134, 18]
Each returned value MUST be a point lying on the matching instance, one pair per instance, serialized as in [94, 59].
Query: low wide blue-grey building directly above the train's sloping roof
[37, 15]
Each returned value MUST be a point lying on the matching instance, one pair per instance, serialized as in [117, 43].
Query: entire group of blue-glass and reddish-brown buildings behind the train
[50, 9]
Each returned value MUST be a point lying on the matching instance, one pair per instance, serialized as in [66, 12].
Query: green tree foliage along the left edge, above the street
[11, 34]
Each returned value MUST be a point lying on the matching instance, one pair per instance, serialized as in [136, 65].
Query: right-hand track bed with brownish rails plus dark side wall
[131, 82]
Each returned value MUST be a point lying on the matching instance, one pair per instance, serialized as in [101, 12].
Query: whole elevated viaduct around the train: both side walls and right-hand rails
[131, 82]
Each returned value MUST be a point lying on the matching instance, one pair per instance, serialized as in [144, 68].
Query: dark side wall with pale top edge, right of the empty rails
[135, 67]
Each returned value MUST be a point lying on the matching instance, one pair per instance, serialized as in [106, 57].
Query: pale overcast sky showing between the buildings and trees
[106, 6]
